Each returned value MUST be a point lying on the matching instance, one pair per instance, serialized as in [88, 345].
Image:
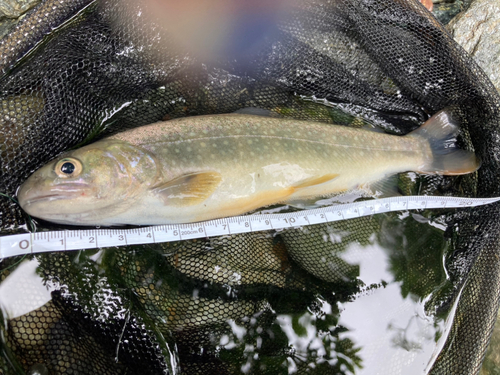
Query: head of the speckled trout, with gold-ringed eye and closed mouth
[84, 185]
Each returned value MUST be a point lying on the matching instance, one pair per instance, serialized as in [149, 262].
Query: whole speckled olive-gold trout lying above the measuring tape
[213, 166]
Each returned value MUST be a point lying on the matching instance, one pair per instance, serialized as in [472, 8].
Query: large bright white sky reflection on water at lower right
[395, 335]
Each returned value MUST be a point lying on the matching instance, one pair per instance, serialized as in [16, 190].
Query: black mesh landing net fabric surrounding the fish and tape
[95, 68]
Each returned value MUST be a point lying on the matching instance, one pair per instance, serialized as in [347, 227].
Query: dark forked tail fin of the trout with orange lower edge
[441, 131]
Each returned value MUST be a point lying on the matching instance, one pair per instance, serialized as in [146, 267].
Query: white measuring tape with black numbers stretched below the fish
[29, 243]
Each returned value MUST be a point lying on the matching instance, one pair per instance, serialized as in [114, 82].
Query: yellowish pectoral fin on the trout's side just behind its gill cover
[189, 189]
